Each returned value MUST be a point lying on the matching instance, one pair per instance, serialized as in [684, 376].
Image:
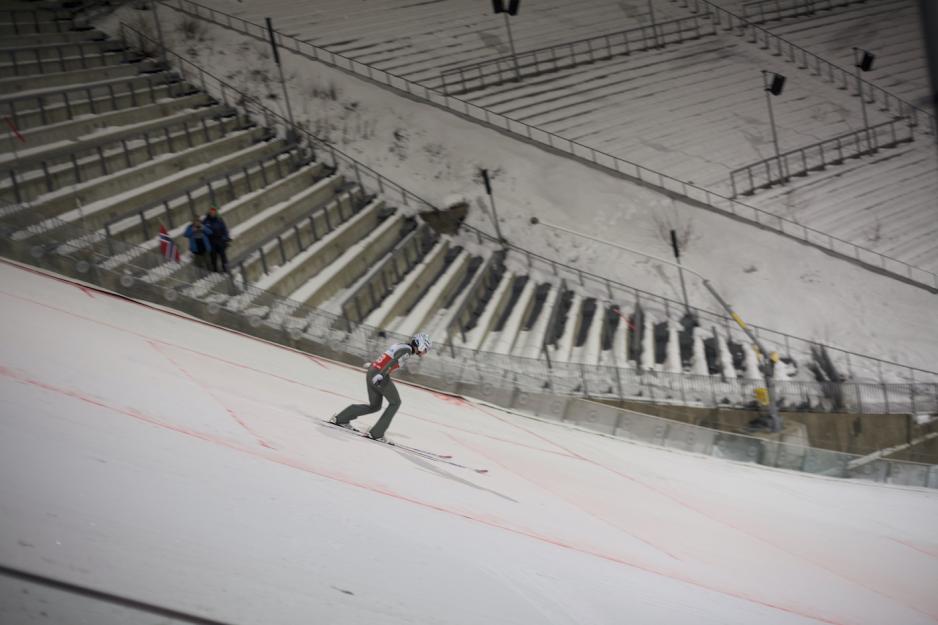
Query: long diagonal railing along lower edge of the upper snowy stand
[846, 250]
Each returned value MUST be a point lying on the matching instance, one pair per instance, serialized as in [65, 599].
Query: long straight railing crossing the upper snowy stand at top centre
[467, 78]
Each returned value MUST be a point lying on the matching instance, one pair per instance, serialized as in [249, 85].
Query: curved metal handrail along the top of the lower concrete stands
[385, 186]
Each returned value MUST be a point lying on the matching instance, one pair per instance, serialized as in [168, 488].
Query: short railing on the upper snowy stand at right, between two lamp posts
[818, 156]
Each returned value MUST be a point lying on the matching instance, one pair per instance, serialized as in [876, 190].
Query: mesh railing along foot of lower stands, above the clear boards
[282, 319]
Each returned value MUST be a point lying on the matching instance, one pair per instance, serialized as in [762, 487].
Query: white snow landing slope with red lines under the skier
[160, 458]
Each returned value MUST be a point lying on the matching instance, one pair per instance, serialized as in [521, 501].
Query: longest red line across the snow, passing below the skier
[297, 464]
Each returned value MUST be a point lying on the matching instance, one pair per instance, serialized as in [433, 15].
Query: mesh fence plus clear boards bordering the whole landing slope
[524, 384]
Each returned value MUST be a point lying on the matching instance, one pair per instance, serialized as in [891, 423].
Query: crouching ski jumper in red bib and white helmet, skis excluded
[379, 384]
